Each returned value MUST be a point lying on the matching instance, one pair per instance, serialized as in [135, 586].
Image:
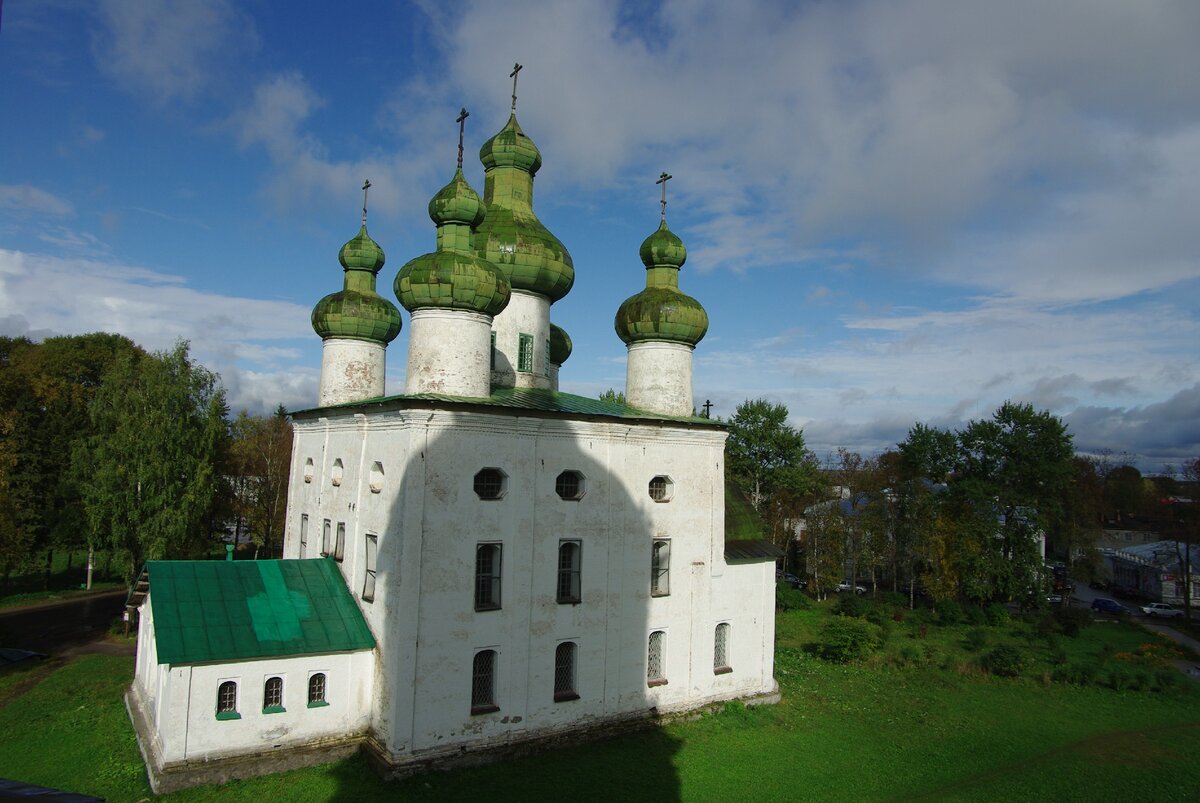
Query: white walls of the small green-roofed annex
[179, 702]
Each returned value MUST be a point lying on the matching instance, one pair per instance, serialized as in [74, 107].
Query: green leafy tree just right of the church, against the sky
[766, 456]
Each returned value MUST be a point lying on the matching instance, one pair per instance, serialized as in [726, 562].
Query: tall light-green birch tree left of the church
[148, 470]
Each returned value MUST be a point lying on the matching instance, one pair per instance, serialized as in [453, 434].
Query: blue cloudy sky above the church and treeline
[895, 212]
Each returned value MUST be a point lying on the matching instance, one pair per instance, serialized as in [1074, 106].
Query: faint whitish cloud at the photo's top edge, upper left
[170, 52]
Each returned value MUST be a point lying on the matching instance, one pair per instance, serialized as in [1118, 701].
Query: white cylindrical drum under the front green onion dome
[449, 352]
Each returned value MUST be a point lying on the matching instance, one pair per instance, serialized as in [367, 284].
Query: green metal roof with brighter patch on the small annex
[233, 610]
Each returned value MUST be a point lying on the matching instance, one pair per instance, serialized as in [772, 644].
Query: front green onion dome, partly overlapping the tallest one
[453, 277]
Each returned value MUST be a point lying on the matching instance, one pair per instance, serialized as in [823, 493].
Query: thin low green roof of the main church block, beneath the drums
[527, 399]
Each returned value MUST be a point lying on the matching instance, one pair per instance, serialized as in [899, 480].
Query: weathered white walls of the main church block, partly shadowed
[429, 524]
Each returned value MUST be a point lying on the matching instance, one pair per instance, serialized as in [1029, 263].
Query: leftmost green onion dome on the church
[358, 311]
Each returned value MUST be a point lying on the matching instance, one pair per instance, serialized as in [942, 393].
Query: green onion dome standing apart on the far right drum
[662, 313]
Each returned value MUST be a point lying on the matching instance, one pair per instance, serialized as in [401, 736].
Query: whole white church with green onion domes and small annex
[483, 565]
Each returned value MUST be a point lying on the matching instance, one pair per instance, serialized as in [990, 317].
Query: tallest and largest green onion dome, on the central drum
[512, 237]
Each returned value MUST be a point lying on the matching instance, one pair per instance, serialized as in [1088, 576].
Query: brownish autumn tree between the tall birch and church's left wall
[260, 465]
